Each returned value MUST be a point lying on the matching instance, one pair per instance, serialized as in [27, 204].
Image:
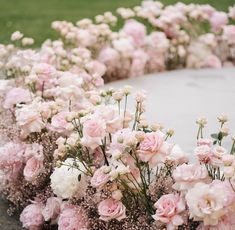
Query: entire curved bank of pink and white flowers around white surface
[74, 156]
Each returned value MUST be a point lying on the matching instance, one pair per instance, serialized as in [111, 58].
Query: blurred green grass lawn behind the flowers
[33, 17]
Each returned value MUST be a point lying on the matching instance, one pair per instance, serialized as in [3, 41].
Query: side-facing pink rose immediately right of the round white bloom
[100, 177]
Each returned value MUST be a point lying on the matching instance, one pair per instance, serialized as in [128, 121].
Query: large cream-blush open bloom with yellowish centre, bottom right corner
[209, 202]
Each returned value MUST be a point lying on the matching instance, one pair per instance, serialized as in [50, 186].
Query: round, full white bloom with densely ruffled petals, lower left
[68, 181]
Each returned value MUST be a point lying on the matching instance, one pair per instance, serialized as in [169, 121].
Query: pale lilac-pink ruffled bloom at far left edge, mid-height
[15, 96]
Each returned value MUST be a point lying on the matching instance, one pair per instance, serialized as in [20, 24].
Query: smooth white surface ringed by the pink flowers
[177, 98]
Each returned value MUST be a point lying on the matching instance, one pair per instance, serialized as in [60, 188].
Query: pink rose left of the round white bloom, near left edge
[32, 168]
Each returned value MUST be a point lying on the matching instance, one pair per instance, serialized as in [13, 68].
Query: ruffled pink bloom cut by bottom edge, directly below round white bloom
[72, 218]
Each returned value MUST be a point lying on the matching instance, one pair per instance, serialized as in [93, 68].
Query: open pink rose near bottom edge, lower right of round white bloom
[111, 209]
